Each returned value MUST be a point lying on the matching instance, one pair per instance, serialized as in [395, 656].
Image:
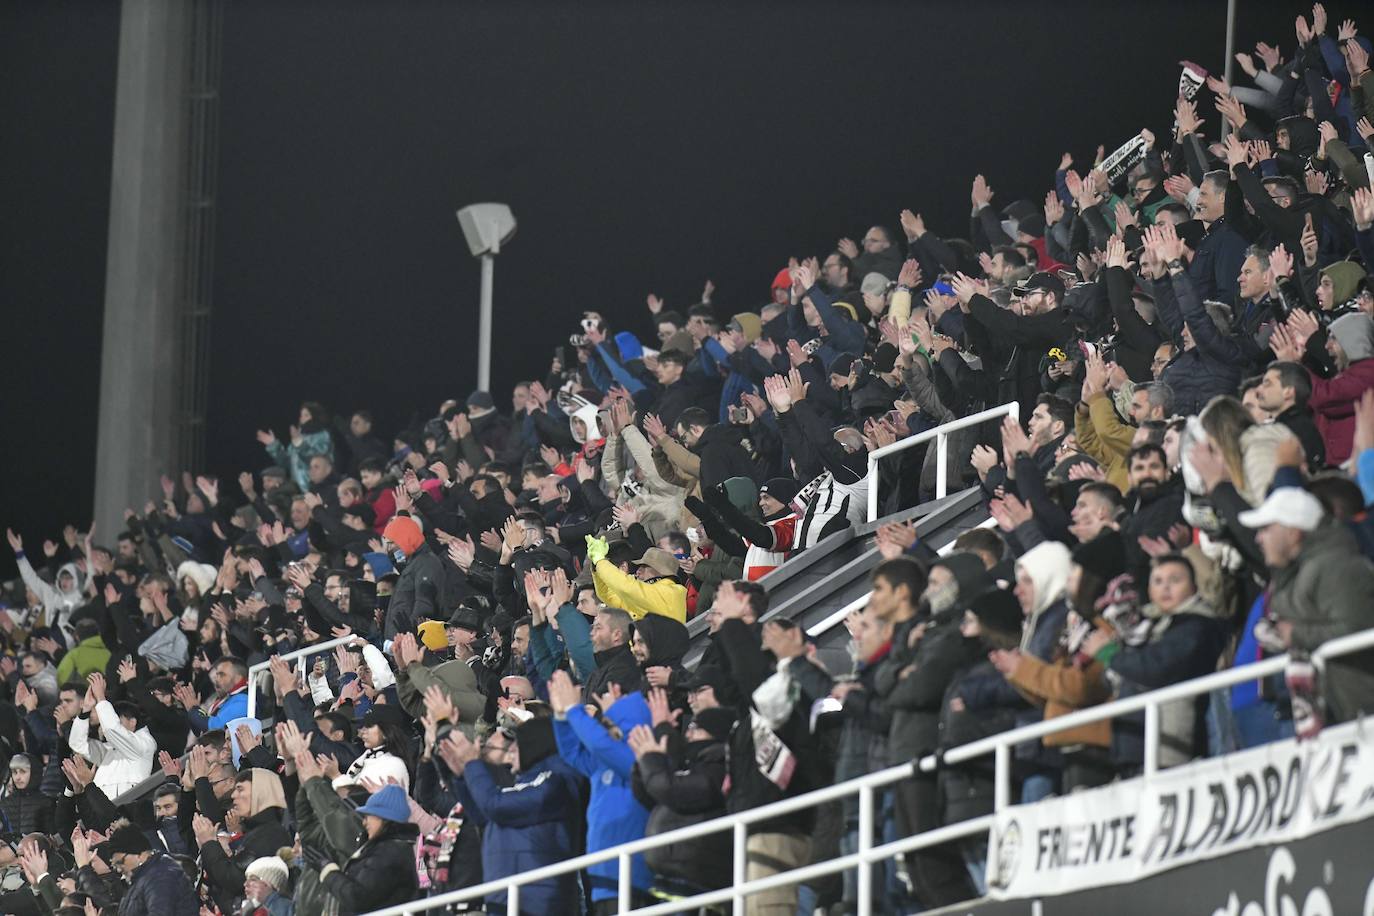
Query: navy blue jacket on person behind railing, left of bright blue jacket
[528, 826]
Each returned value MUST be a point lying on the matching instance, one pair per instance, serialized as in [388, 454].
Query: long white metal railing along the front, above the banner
[1000, 746]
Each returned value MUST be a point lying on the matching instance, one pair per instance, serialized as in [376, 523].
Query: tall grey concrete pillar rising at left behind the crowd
[139, 359]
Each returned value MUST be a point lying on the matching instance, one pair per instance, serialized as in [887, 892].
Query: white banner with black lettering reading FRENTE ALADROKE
[1130, 830]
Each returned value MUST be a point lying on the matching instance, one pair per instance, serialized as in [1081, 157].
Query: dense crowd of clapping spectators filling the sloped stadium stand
[1186, 326]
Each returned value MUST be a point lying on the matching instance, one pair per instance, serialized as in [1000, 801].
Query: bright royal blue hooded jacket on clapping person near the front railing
[613, 816]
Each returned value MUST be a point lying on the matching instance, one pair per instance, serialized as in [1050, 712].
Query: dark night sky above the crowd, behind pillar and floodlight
[644, 148]
